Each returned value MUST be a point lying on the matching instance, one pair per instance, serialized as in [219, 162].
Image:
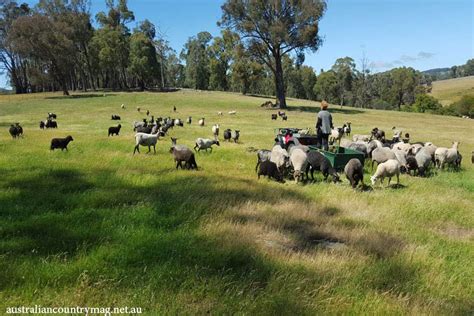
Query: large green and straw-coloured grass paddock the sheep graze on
[97, 226]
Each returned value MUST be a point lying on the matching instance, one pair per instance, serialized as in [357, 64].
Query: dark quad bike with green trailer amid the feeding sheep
[337, 155]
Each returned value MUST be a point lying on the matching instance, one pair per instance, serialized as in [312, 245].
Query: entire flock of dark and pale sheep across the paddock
[392, 156]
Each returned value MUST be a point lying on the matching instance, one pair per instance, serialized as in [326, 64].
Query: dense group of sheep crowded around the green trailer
[392, 156]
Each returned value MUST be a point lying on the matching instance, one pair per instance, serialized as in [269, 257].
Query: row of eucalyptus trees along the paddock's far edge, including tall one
[55, 47]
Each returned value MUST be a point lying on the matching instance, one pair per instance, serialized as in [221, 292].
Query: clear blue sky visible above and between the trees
[423, 34]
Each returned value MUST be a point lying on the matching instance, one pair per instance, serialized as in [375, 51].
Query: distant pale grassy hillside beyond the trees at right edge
[452, 90]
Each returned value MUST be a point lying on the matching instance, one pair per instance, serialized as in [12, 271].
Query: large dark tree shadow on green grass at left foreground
[69, 213]
